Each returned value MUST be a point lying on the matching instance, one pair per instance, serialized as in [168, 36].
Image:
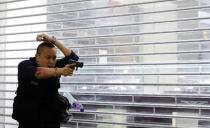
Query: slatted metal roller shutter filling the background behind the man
[146, 61]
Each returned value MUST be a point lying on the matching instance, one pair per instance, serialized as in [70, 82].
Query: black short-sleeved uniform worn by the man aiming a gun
[35, 103]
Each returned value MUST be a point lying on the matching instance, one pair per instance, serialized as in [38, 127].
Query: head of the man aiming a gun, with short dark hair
[46, 55]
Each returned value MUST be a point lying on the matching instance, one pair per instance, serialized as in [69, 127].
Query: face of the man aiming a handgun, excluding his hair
[46, 57]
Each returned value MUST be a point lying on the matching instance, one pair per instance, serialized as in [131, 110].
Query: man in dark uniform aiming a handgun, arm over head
[38, 84]
